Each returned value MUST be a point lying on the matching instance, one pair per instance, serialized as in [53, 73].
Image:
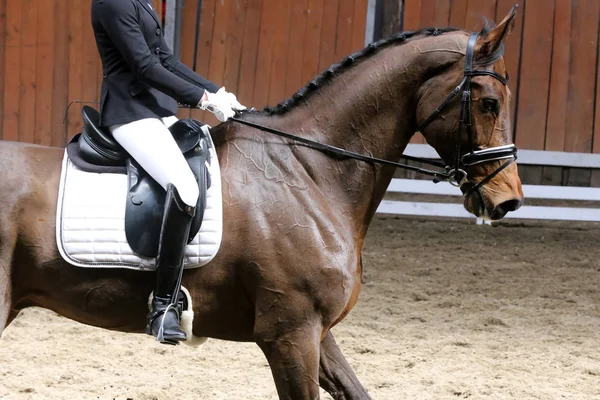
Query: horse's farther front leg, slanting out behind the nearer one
[336, 375]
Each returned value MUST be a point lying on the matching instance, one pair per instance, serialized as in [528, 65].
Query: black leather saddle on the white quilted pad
[95, 150]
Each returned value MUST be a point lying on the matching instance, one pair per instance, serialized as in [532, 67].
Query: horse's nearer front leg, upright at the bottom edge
[293, 356]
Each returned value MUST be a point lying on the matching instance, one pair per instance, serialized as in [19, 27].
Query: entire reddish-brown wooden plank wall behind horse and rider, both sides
[264, 50]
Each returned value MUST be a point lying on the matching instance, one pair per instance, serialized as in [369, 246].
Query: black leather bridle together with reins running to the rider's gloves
[455, 175]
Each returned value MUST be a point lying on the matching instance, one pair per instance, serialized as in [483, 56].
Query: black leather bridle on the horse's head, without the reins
[457, 173]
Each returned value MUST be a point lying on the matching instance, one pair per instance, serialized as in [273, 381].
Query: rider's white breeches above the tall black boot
[150, 143]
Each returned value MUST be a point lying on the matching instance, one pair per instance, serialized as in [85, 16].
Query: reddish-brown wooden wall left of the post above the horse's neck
[262, 50]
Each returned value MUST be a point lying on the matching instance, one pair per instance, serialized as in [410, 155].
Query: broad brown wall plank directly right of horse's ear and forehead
[535, 75]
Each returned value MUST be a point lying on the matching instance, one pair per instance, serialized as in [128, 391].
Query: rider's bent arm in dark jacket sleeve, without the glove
[120, 21]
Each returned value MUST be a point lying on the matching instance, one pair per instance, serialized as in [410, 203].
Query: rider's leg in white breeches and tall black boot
[150, 143]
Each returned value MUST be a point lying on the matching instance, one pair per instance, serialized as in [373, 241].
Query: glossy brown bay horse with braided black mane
[295, 218]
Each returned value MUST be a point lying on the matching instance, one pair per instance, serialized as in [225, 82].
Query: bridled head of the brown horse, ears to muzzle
[470, 128]
